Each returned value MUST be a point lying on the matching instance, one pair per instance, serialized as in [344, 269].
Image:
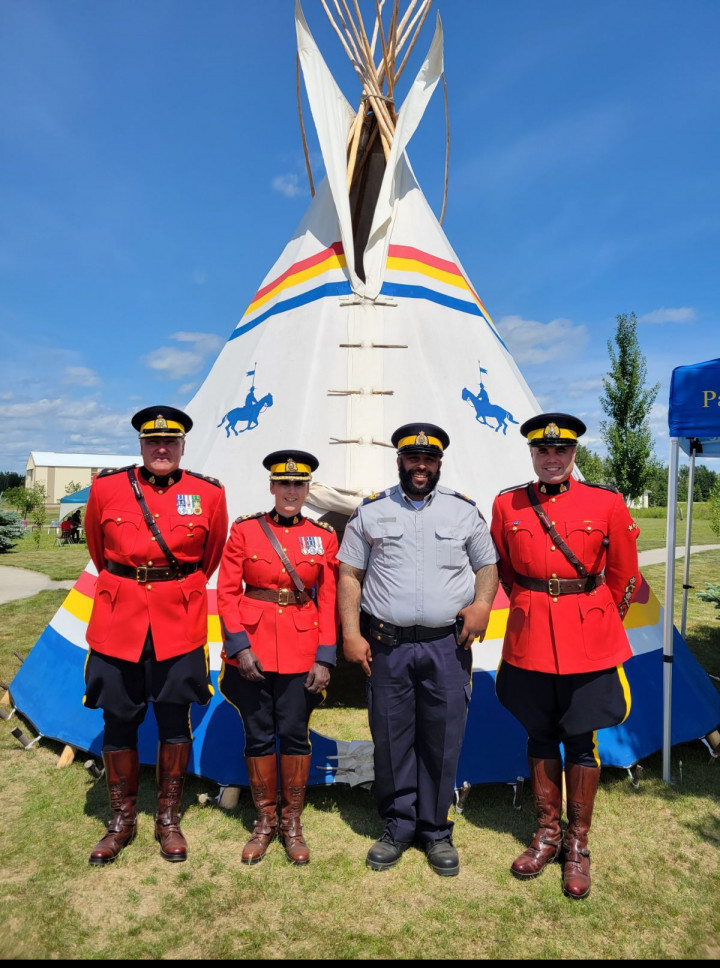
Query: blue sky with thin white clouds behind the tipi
[151, 171]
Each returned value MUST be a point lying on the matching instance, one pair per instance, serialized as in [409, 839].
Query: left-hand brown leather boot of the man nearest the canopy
[546, 786]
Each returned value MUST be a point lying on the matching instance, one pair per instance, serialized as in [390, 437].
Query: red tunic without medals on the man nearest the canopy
[568, 633]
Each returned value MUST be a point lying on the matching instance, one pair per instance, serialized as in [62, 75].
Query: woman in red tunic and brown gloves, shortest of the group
[279, 643]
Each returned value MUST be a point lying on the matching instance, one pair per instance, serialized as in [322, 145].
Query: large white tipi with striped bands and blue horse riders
[366, 321]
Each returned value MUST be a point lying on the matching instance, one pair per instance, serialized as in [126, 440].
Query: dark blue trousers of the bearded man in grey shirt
[418, 694]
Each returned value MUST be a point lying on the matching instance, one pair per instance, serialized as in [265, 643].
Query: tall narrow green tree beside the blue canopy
[627, 402]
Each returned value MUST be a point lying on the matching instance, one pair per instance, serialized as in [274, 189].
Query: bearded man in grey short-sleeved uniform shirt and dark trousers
[417, 581]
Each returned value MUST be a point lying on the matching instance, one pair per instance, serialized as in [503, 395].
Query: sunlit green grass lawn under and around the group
[654, 857]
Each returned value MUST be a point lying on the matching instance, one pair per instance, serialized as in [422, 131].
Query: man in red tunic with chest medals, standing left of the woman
[155, 534]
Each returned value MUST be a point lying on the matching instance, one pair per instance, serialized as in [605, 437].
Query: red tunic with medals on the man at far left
[175, 611]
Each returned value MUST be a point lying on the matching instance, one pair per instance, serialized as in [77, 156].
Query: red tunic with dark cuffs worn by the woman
[286, 638]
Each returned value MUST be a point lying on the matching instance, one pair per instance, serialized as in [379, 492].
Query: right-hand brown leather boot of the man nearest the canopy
[582, 783]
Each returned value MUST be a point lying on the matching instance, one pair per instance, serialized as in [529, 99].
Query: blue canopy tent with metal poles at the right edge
[694, 422]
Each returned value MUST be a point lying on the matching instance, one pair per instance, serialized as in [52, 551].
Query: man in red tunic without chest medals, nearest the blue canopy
[568, 561]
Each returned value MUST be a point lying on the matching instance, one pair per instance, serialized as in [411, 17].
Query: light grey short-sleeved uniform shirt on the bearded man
[419, 563]
